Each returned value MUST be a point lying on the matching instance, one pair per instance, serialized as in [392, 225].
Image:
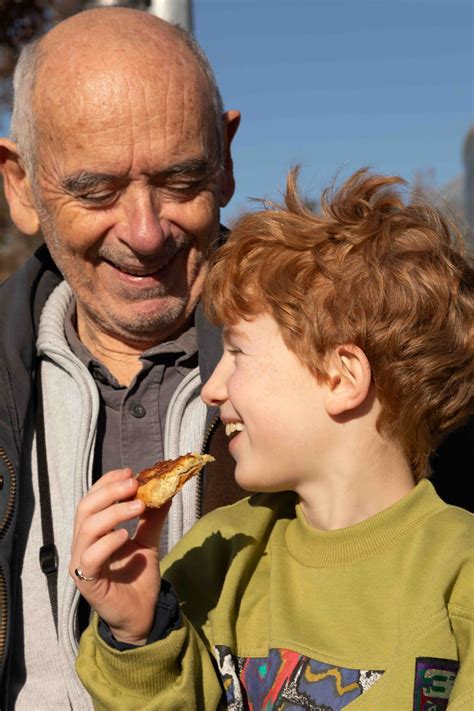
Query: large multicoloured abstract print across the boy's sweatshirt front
[288, 680]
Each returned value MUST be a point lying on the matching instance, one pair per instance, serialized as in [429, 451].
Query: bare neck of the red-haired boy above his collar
[358, 483]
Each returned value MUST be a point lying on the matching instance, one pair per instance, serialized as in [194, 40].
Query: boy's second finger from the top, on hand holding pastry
[103, 522]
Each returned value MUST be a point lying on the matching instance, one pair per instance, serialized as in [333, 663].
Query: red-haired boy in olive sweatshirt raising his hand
[348, 353]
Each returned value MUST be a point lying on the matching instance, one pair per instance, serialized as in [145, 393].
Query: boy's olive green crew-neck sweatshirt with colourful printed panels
[279, 615]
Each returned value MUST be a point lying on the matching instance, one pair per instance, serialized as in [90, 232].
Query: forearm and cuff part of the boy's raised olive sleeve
[175, 673]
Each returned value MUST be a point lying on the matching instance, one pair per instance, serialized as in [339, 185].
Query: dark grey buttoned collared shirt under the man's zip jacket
[132, 419]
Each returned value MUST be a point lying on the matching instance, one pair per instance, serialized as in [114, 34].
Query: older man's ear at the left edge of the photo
[17, 187]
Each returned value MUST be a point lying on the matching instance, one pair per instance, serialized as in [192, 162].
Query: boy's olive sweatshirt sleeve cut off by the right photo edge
[461, 613]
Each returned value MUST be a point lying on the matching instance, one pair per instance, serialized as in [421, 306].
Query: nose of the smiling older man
[145, 231]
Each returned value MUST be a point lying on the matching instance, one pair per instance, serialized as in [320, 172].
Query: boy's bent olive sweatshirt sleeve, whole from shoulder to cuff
[179, 671]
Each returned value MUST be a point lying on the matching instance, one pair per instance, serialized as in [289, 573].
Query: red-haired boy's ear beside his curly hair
[350, 379]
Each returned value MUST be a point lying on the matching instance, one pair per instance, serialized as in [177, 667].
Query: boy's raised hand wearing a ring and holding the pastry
[126, 574]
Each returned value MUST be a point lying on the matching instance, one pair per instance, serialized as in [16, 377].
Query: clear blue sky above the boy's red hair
[337, 84]
